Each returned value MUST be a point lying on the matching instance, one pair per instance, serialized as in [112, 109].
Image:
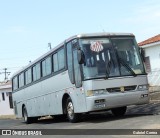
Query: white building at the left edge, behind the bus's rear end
[6, 104]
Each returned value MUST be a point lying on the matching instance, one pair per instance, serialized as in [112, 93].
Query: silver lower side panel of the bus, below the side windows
[45, 97]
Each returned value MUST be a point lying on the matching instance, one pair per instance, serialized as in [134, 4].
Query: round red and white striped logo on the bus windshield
[96, 46]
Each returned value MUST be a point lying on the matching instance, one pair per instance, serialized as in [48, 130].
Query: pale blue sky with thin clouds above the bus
[27, 26]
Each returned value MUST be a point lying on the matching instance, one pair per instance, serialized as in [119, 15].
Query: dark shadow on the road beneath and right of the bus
[98, 117]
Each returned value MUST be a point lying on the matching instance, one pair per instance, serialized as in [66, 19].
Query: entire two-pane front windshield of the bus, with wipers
[111, 57]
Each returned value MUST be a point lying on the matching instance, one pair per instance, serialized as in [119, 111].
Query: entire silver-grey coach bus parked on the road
[85, 73]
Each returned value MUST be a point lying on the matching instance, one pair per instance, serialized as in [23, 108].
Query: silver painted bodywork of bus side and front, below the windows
[45, 98]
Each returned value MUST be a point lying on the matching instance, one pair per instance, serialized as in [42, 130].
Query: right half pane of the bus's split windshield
[128, 55]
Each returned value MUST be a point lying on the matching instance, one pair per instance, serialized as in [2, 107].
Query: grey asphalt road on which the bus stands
[137, 117]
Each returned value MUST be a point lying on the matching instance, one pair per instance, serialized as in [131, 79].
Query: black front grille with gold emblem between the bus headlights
[121, 89]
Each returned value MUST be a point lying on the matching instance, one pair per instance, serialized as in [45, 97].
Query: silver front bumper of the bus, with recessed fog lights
[117, 99]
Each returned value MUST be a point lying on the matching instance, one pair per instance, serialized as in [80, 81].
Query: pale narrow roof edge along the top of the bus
[85, 35]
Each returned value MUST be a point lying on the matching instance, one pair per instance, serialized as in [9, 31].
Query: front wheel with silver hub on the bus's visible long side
[72, 117]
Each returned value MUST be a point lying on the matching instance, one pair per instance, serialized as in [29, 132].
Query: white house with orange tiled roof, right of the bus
[151, 47]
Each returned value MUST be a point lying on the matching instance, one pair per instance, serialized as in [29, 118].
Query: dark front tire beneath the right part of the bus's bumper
[120, 111]
